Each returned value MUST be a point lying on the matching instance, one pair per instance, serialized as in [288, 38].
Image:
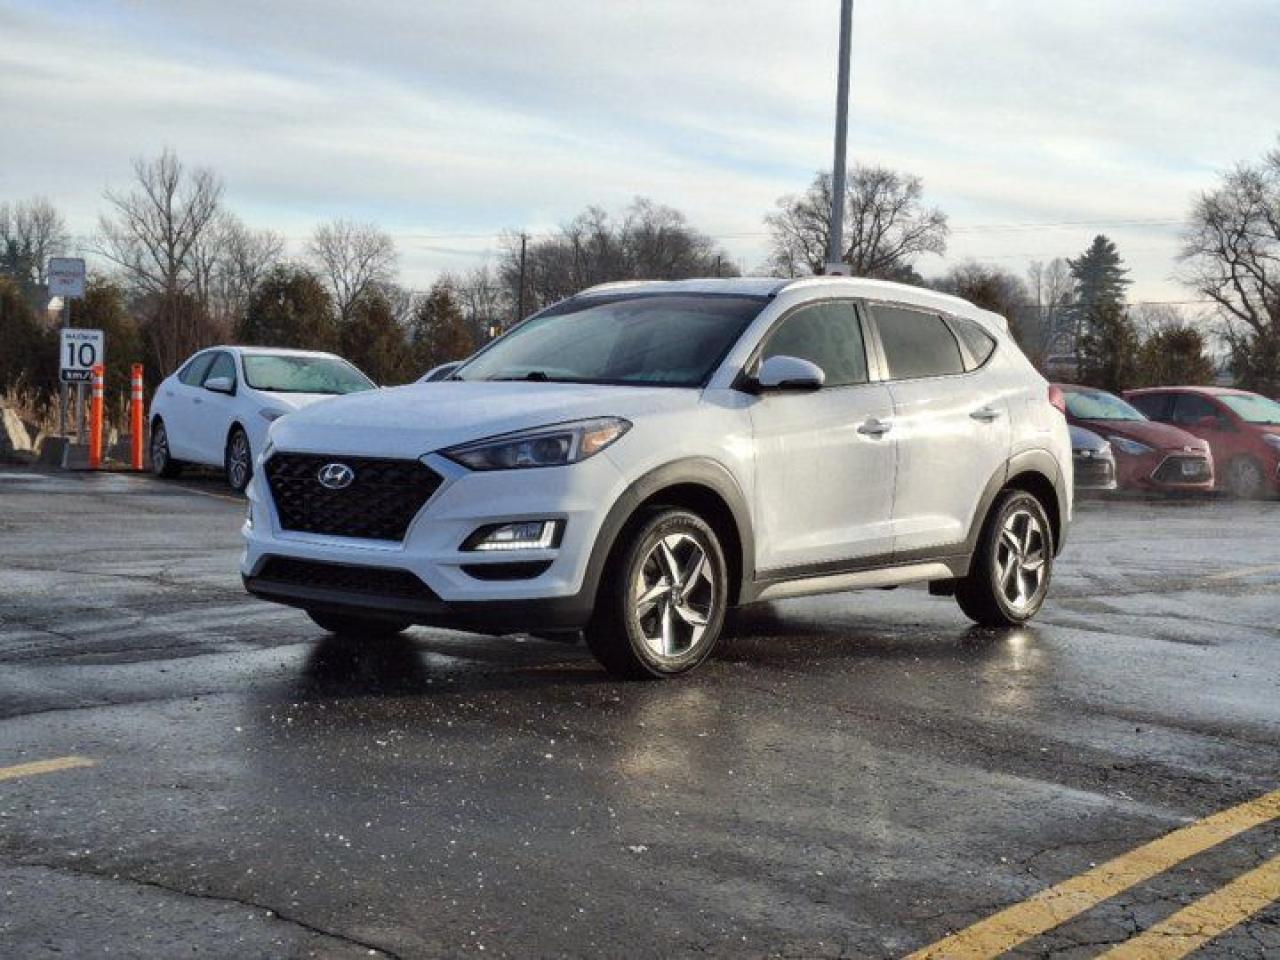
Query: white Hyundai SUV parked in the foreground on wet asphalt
[639, 459]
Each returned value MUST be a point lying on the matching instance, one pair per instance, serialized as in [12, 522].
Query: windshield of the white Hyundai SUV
[669, 340]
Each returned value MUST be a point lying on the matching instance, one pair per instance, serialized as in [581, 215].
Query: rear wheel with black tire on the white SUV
[1012, 569]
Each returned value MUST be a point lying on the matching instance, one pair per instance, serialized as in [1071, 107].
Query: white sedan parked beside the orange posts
[217, 408]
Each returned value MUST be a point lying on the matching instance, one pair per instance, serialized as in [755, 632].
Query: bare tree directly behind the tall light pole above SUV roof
[888, 223]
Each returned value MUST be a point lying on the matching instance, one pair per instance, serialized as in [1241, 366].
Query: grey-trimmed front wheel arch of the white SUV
[701, 486]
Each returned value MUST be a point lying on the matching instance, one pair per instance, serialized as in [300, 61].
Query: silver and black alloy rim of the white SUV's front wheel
[674, 596]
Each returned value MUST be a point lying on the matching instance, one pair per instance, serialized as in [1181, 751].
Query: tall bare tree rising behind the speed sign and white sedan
[152, 235]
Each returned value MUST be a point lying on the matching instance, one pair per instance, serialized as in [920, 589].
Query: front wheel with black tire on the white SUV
[664, 598]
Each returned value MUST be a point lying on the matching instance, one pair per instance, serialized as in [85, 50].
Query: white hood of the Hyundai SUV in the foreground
[422, 418]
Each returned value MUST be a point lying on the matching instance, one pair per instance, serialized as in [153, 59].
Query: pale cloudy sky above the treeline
[1035, 124]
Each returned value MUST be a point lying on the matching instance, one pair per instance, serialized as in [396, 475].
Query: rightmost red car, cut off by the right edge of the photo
[1242, 428]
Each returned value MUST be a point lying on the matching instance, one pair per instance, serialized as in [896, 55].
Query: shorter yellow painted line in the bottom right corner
[1210, 917]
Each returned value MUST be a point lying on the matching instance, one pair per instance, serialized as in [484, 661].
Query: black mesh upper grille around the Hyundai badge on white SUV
[380, 505]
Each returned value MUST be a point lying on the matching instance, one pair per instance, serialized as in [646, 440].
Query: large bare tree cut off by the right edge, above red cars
[1232, 257]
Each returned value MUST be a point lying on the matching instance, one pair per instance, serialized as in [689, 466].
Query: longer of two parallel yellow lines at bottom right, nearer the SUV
[1072, 898]
